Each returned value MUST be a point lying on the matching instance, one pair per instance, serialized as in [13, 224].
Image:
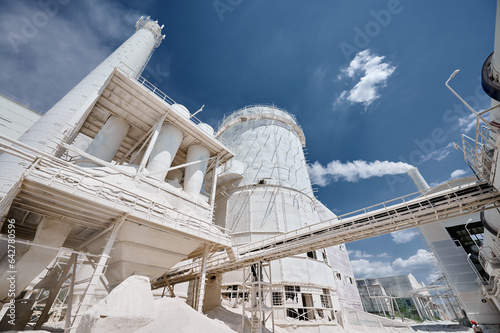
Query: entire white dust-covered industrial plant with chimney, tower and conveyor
[117, 181]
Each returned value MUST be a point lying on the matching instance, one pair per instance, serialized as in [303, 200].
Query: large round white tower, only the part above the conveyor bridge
[275, 194]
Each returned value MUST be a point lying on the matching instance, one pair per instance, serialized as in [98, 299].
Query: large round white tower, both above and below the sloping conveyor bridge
[267, 192]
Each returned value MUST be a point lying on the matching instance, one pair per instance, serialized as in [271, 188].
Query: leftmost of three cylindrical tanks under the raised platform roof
[108, 140]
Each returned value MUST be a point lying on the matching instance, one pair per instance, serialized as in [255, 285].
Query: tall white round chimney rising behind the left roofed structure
[63, 118]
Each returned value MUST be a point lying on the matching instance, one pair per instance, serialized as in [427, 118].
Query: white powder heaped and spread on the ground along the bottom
[130, 307]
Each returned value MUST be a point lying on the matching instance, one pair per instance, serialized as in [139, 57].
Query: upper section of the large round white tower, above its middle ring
[269, 142]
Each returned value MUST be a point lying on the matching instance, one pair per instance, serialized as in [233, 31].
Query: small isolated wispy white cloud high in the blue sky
[373, 75]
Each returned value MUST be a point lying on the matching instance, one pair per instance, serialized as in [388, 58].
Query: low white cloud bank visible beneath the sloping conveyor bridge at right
[420, 263]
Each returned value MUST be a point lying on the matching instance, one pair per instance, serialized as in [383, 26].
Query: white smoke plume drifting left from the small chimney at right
[353, 171]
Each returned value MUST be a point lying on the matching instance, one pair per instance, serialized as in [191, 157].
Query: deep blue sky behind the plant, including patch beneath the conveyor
[365, 80]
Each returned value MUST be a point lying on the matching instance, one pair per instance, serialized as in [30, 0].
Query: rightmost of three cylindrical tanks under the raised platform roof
[195, 173]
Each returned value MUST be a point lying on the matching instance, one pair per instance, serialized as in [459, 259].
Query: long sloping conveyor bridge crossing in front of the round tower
[402, 213]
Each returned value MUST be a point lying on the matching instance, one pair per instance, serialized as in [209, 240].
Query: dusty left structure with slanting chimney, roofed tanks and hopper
[109, 202]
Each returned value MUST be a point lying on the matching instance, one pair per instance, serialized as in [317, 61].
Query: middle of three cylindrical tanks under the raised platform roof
[166, 146]
